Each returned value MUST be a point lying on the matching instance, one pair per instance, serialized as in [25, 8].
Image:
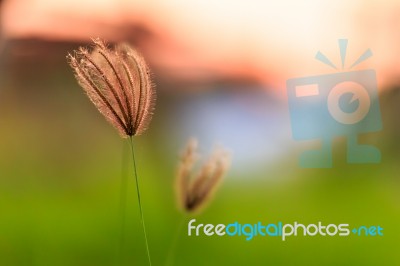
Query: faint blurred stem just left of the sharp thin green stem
[122, 204]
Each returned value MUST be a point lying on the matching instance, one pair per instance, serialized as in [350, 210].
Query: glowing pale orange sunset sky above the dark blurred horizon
[270, 41]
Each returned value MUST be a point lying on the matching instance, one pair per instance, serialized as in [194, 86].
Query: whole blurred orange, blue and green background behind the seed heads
[220, 69]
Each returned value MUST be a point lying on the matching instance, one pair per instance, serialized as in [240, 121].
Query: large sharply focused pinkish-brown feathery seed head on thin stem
[118, 82]
